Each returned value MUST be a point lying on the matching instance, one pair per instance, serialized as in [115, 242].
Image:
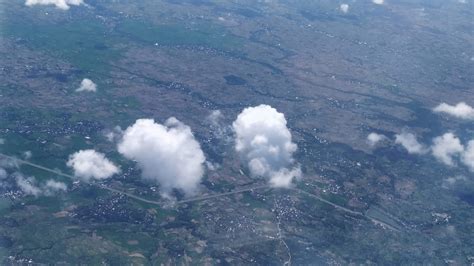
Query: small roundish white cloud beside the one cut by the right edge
[445, 147]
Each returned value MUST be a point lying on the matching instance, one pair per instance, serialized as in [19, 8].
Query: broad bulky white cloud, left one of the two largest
[167, 154]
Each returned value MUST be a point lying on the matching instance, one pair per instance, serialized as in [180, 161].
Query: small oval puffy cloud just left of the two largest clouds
[89, 164]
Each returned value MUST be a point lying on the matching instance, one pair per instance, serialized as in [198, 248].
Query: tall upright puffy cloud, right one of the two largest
[264, 141]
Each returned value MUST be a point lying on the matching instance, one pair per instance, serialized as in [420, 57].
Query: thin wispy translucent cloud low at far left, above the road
[30, 186]
